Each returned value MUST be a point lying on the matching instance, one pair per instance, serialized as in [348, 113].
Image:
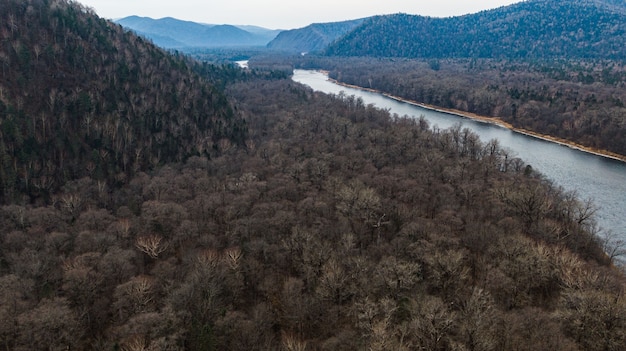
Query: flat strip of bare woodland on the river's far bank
[580, 101]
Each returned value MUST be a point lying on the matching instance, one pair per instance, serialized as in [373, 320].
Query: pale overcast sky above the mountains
[284, 14]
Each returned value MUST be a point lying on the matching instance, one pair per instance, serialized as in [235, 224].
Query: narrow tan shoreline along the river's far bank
[491, 120]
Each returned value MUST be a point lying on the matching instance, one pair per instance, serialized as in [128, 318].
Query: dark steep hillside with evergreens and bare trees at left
[80, 96]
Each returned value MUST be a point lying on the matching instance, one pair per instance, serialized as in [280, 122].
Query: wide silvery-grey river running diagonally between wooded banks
[594, 177]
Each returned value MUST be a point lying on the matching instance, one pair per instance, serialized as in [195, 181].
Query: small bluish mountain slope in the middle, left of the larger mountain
[314, 37]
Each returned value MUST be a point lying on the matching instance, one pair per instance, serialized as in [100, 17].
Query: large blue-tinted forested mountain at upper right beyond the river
[530, 29]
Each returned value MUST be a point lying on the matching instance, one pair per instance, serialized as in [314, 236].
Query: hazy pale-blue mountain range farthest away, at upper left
[175, 34]
